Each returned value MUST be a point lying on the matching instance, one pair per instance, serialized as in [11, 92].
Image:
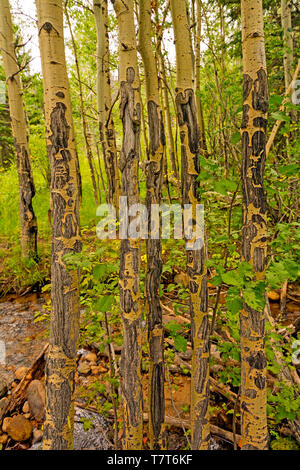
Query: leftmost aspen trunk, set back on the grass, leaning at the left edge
[18, 124]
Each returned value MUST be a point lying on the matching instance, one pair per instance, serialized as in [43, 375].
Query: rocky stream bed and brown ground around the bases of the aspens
[24, 322]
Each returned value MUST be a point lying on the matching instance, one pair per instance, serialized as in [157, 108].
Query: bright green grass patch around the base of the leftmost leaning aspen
[16, 274]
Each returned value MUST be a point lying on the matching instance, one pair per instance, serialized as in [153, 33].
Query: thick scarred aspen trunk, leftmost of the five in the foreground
[65, 193]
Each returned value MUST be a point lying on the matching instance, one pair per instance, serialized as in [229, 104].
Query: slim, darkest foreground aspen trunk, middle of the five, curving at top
[154, 174]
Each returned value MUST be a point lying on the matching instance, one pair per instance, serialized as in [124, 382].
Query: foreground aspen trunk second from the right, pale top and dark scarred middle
[196, 259]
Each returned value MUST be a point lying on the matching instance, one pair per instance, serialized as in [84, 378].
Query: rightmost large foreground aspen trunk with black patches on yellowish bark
[254, 230]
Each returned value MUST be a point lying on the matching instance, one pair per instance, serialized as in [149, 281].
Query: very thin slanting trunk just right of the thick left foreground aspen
[88, 149]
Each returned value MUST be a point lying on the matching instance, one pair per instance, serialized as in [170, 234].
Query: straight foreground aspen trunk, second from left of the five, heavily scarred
[130, 112]
